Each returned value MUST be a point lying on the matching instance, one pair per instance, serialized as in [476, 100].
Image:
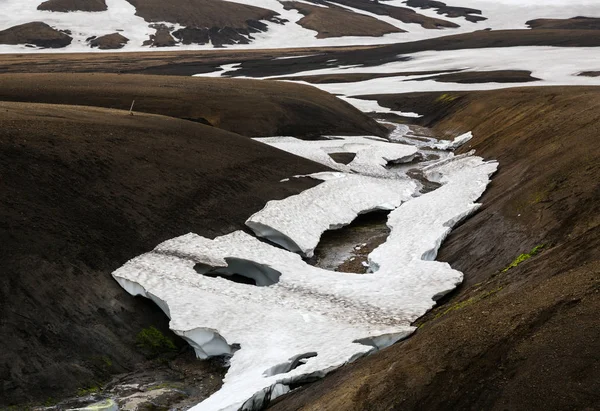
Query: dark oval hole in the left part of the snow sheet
[242, 271]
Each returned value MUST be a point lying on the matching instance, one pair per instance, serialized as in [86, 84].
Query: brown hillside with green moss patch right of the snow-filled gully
[524, 338]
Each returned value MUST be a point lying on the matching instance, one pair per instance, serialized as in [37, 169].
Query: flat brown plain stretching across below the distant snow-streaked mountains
[260, 63]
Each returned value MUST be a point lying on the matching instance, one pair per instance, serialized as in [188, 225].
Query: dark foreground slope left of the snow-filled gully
[86, 189]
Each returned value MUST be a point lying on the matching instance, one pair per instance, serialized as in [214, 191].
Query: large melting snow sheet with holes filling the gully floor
[293, 322]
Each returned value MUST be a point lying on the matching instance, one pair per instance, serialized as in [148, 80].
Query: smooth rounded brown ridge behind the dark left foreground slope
[247, 107]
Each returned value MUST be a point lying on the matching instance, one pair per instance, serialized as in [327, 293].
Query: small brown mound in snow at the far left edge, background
[36, 33]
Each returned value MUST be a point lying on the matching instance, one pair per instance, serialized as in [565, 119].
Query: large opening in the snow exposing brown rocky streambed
[346, 249]
